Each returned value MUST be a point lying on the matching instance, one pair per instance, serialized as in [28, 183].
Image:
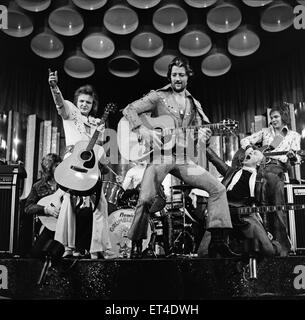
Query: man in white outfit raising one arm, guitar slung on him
[79, 124]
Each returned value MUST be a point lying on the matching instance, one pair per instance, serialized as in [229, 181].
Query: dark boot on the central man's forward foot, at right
[219, 245]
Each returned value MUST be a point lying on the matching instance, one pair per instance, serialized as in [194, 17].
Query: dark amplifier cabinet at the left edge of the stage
[11, 178]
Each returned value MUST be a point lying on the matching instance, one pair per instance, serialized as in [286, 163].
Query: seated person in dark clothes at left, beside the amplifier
[42, 188]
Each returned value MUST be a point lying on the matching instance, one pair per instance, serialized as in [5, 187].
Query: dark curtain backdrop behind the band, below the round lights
[239, 95]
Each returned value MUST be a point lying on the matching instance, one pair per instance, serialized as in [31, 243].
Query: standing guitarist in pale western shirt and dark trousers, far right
[272, 171]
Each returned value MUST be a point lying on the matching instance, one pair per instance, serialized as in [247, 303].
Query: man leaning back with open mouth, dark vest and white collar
[241, 184]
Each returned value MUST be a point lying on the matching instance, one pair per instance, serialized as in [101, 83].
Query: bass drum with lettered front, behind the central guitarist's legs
[119, 223]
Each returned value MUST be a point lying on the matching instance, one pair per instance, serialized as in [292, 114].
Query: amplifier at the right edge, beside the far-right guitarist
[295, 194]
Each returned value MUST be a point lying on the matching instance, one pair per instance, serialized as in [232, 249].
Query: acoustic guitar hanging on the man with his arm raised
[79, 172]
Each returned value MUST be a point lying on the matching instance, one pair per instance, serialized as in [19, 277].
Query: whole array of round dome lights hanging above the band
[168, 19]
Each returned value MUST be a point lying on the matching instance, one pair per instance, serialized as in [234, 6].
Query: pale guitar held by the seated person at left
[54, 200]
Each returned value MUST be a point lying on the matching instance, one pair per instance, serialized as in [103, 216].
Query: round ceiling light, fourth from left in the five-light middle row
[195, 43]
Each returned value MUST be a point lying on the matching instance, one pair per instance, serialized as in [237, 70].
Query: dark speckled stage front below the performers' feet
[181, 278]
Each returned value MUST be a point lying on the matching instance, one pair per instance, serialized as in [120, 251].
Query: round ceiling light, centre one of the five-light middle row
[146, 44]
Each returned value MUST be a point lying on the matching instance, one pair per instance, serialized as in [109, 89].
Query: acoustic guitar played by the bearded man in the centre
[133, 148]
